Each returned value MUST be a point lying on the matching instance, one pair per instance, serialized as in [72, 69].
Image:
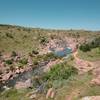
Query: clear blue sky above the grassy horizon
[53, 14]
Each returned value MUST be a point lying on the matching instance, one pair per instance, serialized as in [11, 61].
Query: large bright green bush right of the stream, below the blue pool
[60, 72]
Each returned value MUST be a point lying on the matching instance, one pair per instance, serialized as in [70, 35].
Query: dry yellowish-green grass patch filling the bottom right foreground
[79, 86]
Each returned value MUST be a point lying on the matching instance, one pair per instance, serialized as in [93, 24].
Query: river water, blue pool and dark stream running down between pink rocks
[37, 71]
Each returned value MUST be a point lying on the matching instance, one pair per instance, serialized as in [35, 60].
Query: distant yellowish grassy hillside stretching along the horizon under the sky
[23, 39]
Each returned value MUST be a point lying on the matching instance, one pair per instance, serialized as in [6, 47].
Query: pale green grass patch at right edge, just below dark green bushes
[92, 55]
